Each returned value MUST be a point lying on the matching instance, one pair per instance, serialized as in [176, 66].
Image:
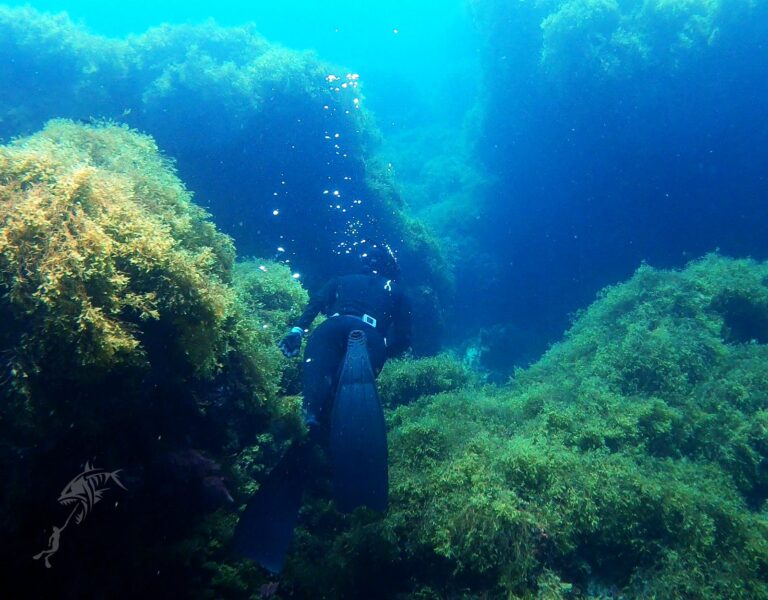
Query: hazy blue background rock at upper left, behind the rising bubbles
[277, 142]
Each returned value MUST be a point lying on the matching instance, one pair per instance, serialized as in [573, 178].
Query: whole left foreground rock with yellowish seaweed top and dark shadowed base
[129, 334]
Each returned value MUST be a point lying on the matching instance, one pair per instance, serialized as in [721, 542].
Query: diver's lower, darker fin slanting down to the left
[265, 529]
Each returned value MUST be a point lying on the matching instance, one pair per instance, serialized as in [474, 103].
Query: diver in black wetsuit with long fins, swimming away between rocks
[369, 320]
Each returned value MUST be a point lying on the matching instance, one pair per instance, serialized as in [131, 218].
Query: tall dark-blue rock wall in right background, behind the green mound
[614, 131]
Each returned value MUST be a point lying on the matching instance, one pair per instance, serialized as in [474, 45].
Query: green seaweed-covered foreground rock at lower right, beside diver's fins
[630, 460]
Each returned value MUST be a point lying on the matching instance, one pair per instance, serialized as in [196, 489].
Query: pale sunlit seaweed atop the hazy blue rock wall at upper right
[595, 42]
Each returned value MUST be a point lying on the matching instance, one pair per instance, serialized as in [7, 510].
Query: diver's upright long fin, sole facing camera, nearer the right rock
[358, 433]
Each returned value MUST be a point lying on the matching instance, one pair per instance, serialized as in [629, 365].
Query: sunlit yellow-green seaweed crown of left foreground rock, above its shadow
[100, 241]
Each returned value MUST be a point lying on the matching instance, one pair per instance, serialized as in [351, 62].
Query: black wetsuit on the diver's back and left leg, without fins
[369, 302]
